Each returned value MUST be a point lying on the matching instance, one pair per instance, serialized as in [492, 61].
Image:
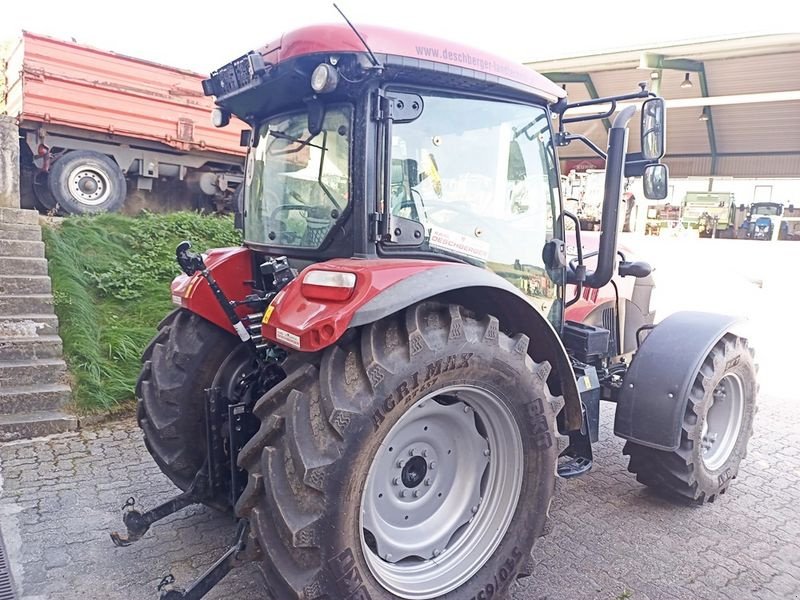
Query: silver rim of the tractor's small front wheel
[723, 421]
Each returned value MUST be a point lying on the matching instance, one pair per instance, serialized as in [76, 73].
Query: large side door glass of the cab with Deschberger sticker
[481, 177]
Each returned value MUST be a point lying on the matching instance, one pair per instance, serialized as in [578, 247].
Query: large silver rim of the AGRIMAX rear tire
[441, 492]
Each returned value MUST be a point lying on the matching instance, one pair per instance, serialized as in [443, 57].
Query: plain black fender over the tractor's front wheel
[656, 388]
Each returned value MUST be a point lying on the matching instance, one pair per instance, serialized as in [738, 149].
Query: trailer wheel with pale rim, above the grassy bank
[85, 182]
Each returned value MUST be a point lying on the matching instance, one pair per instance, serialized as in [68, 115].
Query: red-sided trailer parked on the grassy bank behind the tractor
[97, 128]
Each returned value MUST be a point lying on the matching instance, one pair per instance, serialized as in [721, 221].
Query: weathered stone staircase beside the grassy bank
[34, 388]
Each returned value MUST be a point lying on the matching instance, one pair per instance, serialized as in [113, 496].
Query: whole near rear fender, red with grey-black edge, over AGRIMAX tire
[384, 287]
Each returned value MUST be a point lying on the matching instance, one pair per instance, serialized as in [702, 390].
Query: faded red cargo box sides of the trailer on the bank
[51, 81]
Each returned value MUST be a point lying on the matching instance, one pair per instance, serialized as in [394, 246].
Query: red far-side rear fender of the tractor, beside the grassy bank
[231, 267]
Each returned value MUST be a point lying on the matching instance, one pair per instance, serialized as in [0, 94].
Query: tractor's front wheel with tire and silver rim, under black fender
[717, 425]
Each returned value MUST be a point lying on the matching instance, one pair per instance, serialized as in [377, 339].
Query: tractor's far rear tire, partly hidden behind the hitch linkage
[178, 365]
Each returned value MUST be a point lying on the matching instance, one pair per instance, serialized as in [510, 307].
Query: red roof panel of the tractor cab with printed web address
[339, 38]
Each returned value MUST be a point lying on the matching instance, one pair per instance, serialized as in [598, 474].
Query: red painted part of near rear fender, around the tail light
[320, 323]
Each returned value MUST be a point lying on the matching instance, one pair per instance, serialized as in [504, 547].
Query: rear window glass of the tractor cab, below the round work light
[297, 183]
